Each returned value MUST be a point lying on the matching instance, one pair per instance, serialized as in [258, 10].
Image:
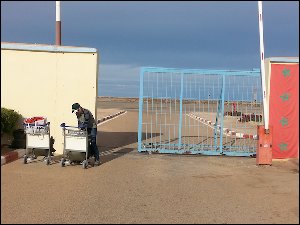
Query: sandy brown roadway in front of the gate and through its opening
[131, 187]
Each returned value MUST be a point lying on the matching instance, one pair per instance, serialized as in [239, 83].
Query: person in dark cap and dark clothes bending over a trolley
[86, 119]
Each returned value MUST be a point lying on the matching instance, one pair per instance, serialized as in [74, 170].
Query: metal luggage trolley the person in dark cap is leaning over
[76, 146]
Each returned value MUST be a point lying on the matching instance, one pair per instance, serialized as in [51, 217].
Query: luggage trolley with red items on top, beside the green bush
[37, 139]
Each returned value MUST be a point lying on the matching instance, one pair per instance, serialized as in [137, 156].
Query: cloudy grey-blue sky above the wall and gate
[180, 34]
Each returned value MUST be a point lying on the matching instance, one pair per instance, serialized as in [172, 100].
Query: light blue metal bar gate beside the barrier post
[193, 111]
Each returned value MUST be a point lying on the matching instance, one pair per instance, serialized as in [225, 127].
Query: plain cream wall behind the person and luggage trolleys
[47, 83]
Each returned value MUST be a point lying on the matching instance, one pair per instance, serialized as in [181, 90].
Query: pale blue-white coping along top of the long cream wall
[45, 47]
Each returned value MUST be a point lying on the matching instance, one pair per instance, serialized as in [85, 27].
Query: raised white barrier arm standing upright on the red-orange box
[262, 66]
